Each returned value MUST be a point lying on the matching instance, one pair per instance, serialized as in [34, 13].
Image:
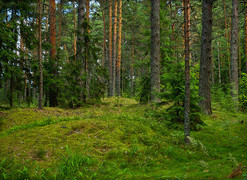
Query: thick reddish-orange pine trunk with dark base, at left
[53, 90]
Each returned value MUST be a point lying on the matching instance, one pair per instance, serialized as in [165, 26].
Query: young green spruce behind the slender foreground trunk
[174, 93]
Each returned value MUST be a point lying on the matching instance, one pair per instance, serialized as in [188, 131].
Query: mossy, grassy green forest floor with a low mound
[118, 139]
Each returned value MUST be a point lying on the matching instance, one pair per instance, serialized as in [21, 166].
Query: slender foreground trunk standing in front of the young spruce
[187, 70]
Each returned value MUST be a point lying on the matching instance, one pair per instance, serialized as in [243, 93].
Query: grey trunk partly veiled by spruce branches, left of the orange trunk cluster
[80, 59]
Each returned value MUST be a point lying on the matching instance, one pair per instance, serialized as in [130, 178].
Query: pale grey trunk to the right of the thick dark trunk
[234, 50]
